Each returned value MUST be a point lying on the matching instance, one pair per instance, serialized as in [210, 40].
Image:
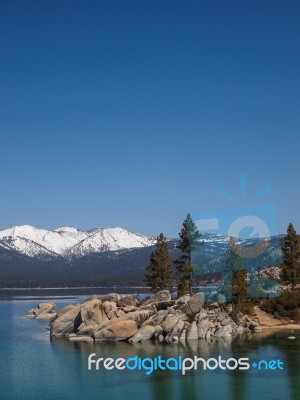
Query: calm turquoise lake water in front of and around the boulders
[34, 366]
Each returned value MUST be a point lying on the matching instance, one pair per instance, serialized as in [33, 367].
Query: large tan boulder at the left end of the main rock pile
[66, 323]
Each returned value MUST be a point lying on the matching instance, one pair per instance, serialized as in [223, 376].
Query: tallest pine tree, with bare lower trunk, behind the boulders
[189, 242]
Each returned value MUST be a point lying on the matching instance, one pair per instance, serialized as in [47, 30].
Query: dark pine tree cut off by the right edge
[291, 258]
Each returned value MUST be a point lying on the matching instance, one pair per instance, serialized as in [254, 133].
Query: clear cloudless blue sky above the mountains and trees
[130, 113]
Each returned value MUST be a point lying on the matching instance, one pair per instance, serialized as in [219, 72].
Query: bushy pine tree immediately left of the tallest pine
[159, 271]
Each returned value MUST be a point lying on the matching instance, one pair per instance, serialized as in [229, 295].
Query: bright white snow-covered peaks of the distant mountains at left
[70, 242]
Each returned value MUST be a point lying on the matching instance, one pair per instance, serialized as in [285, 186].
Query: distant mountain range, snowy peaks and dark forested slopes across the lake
[33, 257]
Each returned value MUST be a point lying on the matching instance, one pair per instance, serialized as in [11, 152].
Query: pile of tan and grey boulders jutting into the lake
[114, 317]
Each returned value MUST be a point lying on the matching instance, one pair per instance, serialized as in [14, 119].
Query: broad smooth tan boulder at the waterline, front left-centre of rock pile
[116, 331]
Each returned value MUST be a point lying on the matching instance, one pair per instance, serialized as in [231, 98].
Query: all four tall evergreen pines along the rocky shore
[165, 272]
